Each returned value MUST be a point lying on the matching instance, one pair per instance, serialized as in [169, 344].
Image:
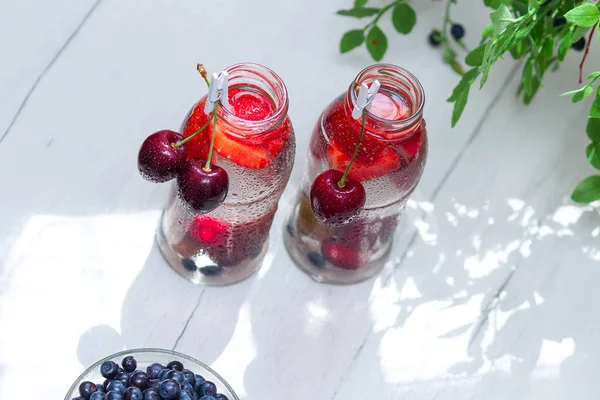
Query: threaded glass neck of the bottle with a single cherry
[397, 109]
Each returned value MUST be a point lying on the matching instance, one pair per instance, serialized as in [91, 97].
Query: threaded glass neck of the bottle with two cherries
[261, 84]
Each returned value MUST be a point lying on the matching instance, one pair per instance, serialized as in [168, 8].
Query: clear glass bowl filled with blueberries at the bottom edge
[150, 374]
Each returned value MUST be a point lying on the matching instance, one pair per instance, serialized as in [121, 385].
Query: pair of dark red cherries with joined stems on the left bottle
[164, 156]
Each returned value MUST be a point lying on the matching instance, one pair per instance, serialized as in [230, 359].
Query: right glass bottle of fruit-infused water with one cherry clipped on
[388, 164]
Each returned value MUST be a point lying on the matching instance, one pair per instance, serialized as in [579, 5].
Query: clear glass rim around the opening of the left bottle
[257, 78]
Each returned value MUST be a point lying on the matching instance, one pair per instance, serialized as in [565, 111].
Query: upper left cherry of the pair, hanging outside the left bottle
[158, 160]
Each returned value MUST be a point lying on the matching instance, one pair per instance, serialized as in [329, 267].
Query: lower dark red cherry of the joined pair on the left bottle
[204, 190]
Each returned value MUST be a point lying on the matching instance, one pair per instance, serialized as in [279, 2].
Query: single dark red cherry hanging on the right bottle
[334, 205]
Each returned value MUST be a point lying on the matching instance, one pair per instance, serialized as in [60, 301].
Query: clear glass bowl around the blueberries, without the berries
[145, 357]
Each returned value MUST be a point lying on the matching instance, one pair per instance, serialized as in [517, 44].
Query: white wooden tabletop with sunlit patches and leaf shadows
[493, 289]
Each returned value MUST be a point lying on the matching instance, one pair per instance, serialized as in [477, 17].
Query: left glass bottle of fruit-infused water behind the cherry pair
[254, 143]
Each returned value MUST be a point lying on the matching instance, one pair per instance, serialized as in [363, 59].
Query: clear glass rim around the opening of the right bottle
[398, 83]
